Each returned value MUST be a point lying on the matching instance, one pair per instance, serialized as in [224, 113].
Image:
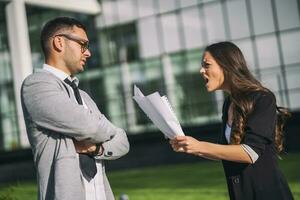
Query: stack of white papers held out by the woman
[159, 110]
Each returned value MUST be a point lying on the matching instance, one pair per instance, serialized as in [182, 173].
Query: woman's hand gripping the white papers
[186, 144]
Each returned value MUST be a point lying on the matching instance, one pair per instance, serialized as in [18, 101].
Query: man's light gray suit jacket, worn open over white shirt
[53, 119]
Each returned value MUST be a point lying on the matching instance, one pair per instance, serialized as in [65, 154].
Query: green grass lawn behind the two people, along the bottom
[202, 180]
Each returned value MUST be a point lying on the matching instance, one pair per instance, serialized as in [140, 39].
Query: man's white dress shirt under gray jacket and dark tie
[94, 189]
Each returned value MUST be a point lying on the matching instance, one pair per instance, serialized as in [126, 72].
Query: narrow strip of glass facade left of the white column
[9, 132]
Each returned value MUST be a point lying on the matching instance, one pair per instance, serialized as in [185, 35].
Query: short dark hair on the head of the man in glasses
[55, 25]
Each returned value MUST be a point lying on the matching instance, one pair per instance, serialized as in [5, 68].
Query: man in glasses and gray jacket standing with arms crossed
[69, 136]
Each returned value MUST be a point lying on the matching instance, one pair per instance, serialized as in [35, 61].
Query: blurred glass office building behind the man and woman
[156, 45]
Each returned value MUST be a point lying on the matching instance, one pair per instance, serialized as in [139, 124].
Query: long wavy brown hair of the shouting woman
[242, 83]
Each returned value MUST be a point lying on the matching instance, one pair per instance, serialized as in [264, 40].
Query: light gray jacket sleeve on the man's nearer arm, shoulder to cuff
[49, 107]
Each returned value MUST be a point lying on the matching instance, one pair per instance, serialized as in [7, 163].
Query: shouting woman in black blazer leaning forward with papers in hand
[252, 128]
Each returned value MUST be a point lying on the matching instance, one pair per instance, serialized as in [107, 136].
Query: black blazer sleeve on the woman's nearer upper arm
[260, 126]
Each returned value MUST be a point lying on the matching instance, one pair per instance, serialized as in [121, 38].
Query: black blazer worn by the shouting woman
[262, 180]
